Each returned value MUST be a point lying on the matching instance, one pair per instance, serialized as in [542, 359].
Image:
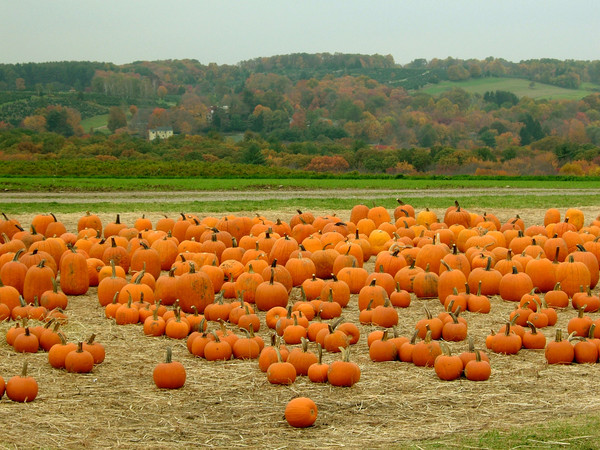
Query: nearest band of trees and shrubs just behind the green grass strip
[255, 155]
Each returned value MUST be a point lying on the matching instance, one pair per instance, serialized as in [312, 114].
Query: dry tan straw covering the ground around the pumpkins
[231, 404]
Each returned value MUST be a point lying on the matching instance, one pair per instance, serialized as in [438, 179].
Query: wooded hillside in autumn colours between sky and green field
[466, 113]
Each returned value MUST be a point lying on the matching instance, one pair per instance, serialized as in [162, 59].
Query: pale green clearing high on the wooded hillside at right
[518, 86]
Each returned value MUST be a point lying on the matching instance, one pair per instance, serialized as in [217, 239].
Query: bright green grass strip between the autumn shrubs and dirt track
[47, 184]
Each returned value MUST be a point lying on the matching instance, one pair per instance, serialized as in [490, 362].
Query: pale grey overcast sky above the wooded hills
[227, 31]
